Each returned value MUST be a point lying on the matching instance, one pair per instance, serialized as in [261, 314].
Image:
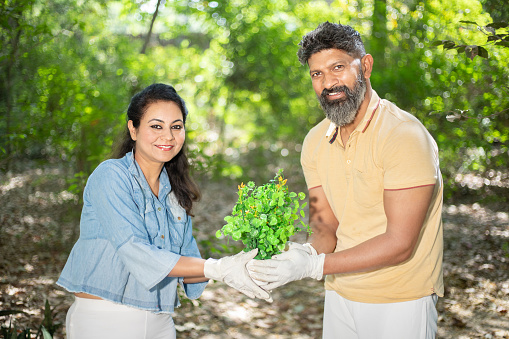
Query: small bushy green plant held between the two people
[264, 216]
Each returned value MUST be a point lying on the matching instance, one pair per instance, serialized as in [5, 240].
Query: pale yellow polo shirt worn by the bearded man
[389, 149]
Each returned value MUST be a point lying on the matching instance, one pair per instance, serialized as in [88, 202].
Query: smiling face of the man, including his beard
[339, 83]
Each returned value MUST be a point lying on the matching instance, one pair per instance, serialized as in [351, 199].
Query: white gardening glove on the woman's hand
[233, 272]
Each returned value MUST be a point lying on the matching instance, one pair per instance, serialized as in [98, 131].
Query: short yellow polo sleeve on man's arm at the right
[409, 157]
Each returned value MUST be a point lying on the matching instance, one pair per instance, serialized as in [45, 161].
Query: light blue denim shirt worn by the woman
[130, 240]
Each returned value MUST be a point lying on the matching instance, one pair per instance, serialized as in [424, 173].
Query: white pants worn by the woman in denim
[101, 319]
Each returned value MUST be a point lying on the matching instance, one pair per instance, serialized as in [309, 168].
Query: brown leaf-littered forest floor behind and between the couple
[39, 223]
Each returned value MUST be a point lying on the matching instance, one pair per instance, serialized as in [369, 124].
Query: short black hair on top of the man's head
[327, 36]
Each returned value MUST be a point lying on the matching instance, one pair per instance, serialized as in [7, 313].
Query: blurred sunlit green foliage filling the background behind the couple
[66, 79]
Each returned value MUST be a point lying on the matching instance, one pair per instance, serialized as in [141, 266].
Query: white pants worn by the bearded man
[345, 319]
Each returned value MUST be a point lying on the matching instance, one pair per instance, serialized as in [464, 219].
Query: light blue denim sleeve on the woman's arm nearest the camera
[111, 197]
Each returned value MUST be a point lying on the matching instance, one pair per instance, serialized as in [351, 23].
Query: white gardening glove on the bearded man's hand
[294, 264]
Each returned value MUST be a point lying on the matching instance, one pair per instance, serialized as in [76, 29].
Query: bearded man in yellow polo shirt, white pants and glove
[375, 201]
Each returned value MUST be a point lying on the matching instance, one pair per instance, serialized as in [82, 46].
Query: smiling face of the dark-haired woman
[161, 134]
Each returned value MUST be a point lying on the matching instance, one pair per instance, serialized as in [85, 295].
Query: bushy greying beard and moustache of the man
[343, 111]
